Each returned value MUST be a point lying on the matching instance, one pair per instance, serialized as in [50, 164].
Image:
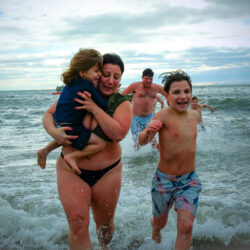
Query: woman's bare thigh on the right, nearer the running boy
[105, 195]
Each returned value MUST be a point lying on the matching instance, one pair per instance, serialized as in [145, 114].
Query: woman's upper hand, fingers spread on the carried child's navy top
[87, 104]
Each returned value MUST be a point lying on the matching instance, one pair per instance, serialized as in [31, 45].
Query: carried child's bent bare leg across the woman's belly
[95, 145]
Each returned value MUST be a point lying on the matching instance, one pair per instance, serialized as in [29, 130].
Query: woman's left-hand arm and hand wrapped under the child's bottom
[57, 133]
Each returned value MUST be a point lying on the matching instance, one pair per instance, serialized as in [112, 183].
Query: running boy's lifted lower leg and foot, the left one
[157, 224]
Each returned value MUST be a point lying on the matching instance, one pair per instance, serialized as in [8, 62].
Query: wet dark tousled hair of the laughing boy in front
[169, 77]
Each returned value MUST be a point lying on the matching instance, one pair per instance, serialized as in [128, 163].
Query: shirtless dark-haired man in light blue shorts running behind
[144, 101]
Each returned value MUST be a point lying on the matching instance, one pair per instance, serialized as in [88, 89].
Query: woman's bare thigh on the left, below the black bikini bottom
[74, 193]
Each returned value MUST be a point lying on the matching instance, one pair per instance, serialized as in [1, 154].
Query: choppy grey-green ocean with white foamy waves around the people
[31, 215]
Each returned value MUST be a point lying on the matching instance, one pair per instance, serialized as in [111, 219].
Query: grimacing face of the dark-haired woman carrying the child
[110, 79]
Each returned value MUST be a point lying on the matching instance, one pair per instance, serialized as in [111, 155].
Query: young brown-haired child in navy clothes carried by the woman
[82, 75]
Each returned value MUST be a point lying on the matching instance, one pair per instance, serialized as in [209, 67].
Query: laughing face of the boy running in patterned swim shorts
[180, 95]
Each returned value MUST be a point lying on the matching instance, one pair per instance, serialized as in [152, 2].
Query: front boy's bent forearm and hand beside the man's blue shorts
[149, 132]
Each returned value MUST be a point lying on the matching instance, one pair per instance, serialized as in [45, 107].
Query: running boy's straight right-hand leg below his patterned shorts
[185, 222]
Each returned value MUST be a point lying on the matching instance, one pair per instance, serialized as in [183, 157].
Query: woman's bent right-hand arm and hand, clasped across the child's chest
[115, 127]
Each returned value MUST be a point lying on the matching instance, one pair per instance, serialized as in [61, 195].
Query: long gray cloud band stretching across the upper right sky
[127, 27]
